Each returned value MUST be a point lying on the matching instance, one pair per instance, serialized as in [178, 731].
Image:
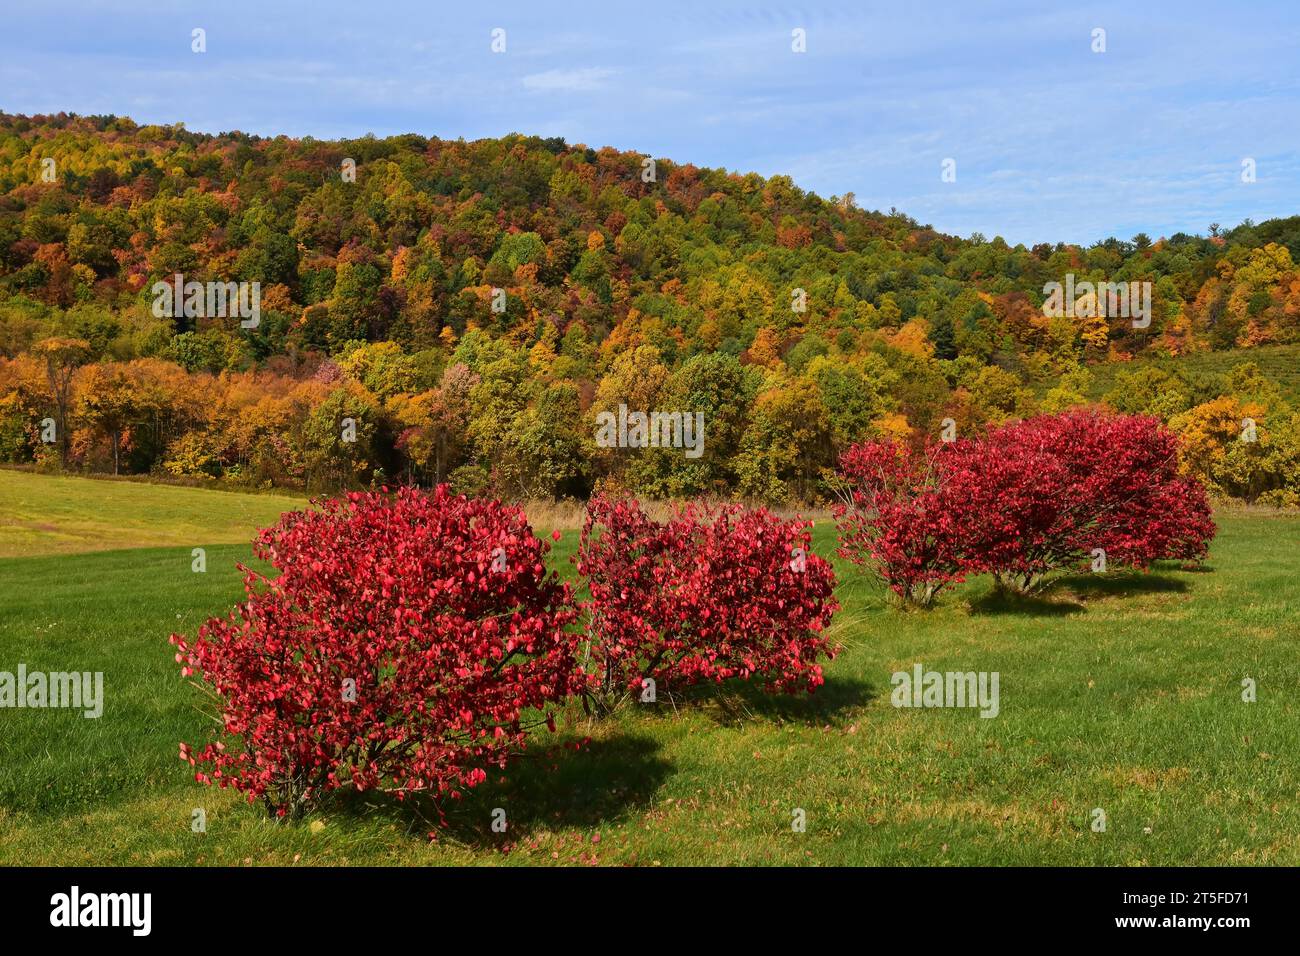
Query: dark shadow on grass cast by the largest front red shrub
[545, 788]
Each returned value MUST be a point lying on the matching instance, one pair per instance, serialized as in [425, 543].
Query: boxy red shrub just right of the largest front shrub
[707, 596]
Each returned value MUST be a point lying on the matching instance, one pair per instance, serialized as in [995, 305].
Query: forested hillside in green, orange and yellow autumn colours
[469, 309]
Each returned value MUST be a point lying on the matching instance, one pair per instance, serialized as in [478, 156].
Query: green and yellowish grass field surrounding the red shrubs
[1121, 693]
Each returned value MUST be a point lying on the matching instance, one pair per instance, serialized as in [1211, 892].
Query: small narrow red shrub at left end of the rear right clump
[895, 518]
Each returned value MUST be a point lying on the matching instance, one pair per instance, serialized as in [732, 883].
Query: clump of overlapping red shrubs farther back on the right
[1021, 501]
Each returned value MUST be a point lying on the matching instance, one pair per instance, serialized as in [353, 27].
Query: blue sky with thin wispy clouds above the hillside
[1052, 142]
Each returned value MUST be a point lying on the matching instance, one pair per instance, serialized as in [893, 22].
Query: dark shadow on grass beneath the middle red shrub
[739, 702]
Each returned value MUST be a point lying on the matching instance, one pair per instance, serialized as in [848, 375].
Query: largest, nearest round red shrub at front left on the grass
[437, 607]
